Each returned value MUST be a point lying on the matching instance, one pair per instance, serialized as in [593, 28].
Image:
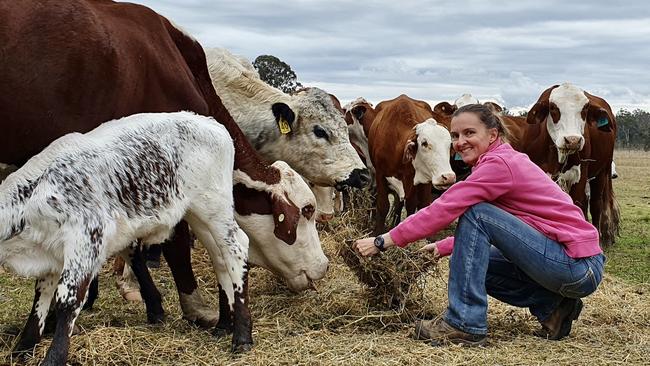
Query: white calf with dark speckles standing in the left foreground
[89, 196]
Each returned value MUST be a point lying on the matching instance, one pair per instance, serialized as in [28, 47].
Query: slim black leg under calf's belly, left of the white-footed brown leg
[150, 294]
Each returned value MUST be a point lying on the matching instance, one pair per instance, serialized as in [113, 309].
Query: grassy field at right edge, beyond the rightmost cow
[629, 258]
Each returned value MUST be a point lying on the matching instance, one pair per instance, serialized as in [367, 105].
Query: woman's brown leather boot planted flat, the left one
[441, 333]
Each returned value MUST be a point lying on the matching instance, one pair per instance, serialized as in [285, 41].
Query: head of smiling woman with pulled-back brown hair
[470, 137]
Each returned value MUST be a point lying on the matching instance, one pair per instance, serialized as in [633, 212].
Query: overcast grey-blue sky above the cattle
[438, 50]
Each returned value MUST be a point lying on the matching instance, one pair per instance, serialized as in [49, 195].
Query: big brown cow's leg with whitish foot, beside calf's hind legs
[177, 252]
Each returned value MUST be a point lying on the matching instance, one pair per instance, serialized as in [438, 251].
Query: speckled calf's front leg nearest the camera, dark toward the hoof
[78, 270]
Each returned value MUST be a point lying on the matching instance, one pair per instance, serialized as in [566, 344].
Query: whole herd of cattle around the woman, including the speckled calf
[71, 66]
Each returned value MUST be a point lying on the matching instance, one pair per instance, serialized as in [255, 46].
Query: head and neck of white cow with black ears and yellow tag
[304, 129]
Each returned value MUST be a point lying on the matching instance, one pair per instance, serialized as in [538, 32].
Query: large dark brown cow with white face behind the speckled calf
[70, 66]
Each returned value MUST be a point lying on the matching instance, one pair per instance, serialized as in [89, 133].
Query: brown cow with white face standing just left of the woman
[409, 146]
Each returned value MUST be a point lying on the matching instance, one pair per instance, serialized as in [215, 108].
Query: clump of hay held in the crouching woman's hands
[393, 277]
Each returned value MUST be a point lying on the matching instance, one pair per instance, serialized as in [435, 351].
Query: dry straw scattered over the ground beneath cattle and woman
[342, 323]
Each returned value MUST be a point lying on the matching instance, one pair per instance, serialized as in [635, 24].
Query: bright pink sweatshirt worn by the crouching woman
[509, 180]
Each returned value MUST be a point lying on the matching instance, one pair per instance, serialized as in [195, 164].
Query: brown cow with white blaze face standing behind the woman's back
[571, 136]
